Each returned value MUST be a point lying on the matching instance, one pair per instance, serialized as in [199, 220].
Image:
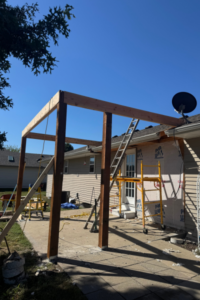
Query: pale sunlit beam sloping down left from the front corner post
[45, 111]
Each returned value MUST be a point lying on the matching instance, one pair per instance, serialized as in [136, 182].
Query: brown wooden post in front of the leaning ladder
[105, 181]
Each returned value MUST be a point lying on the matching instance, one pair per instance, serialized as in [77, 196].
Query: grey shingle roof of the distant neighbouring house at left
[31, 159]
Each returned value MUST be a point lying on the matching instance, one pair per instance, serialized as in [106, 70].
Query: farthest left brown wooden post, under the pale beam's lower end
[20, 173]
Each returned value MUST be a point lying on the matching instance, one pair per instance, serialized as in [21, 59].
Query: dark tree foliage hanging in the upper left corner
[29, 41]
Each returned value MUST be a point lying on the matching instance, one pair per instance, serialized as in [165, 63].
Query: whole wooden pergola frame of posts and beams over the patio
[60, 102]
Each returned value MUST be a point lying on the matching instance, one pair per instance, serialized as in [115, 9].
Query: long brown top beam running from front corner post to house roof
[120, 110]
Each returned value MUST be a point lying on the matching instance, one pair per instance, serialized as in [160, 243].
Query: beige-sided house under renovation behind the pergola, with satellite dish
[179, 154]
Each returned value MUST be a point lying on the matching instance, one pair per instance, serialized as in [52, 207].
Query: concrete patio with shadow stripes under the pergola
[133, 267]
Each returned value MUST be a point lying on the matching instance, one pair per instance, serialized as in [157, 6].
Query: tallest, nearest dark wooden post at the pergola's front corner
[54, 223]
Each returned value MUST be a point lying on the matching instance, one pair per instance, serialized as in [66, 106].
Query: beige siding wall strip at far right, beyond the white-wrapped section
[191, 164]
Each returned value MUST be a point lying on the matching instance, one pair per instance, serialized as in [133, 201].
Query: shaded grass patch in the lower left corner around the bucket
[49, 284]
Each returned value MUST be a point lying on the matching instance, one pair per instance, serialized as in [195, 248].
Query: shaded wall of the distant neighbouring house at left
[8, 176]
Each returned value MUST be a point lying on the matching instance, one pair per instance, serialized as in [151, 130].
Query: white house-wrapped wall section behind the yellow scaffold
[171, 161]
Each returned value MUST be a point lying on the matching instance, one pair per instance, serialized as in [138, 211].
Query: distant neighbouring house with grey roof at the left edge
[9, 163]
